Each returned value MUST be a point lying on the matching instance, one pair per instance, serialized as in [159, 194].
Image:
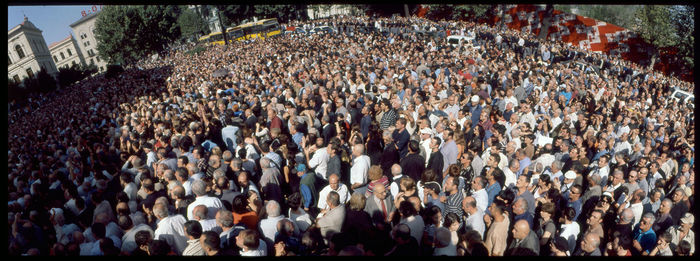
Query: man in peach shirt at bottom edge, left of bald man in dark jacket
[497, 223]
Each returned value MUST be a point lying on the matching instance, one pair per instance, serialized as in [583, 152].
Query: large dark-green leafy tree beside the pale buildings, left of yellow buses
[127, 33]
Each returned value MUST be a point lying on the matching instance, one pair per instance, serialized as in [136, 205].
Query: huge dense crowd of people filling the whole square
[363, 142]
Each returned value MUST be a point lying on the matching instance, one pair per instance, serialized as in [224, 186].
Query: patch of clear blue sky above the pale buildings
[53, 20]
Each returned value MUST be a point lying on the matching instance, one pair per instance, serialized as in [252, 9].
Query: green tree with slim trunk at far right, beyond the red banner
[656, 29]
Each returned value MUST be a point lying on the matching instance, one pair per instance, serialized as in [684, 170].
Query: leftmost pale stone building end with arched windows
[27, 52]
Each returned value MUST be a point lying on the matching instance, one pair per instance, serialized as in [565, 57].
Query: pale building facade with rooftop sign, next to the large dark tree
[84, 30]
